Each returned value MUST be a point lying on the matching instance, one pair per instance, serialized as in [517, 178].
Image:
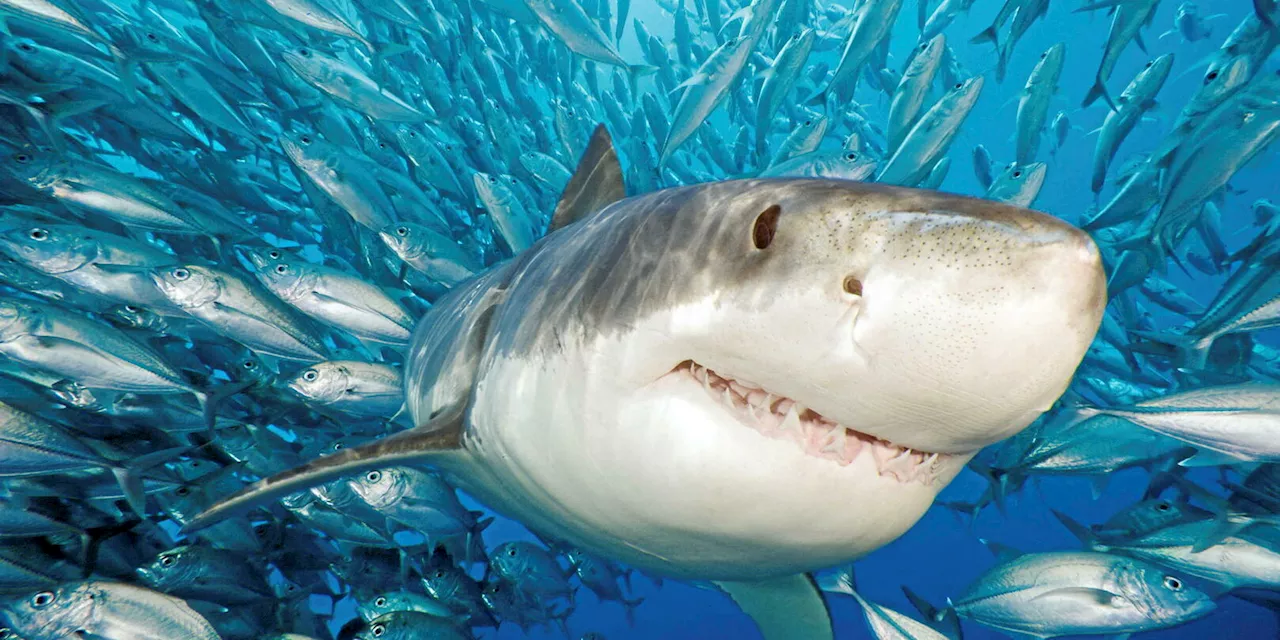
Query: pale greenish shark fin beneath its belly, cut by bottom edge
[785, 609]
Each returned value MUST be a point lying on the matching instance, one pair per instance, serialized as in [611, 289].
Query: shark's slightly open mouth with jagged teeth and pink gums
[784, 419]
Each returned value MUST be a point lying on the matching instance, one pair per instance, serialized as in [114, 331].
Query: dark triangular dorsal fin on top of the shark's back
[596, 185]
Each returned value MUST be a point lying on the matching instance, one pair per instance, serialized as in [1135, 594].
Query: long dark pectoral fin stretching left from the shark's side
[442, 433]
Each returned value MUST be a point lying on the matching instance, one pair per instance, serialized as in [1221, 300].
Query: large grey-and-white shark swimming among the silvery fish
[738, 382]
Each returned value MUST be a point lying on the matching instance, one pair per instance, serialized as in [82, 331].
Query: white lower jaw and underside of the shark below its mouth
[668, 483]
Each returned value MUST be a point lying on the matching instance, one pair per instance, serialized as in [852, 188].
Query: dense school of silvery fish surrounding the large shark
[222, 220]
